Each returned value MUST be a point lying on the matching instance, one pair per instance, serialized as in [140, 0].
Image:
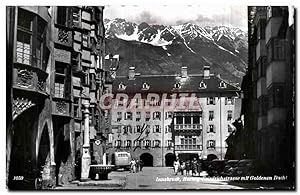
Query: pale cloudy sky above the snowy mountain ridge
[233, 16]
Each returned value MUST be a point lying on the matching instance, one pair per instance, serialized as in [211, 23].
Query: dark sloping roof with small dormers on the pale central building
[166, 84]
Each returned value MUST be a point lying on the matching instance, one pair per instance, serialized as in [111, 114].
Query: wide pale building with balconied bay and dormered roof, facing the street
[156, 117]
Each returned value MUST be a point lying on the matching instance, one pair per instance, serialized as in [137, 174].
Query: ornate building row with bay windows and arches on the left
[56, 55]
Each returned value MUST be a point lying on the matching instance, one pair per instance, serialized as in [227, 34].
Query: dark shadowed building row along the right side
[268, 105]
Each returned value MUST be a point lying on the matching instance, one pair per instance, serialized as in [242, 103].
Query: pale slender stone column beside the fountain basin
[86, 157]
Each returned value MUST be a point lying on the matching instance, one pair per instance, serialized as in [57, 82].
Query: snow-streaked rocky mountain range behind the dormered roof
[163, 49]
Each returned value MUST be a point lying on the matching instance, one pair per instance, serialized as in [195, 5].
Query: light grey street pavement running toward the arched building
[151, 178]
